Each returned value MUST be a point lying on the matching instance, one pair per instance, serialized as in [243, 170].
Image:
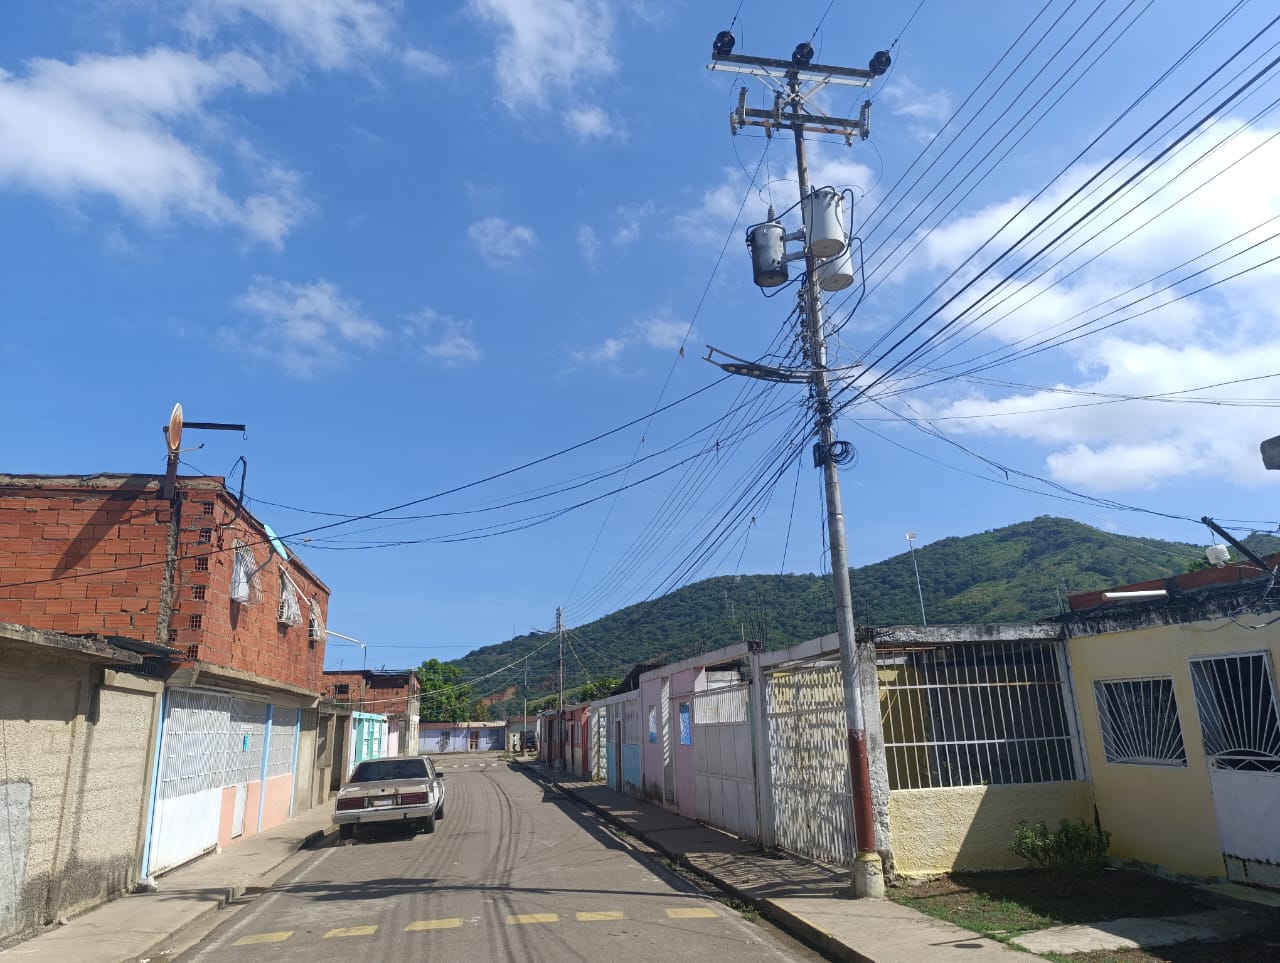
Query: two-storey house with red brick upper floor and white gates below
[231, 622]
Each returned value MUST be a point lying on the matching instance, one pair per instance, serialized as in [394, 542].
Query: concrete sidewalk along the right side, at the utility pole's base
[808, 901]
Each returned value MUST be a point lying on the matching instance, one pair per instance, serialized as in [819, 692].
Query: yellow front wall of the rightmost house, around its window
[1185, 839]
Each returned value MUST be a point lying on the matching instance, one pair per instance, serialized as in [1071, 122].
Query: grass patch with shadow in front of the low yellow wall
[1004, 905]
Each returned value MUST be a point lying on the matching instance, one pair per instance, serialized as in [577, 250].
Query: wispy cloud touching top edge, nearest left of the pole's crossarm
[550, 47]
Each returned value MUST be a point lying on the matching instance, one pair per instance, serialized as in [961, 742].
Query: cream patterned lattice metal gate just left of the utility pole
[810, 760]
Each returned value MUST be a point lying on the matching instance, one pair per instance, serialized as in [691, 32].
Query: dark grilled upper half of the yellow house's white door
[1237, 701]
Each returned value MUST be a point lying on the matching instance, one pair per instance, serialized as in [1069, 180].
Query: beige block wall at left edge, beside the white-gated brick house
[77, 745]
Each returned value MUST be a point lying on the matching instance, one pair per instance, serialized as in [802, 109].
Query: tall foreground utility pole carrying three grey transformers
[829, 266]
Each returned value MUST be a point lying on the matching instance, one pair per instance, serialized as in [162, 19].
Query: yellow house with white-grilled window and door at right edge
[1178, 713]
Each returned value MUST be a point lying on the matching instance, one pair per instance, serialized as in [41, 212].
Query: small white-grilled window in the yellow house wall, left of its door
[1140, 722]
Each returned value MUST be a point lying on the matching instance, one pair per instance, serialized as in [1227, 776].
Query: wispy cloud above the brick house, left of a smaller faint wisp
[304, 328]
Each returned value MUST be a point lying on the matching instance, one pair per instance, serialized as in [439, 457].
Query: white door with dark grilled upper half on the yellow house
[1236, 697]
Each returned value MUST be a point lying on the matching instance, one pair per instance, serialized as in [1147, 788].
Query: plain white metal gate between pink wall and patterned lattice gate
[724, 769]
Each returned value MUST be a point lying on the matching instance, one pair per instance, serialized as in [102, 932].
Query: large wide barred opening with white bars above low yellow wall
[976, 714]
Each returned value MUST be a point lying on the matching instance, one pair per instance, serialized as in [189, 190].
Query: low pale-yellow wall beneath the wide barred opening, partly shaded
[970, 828]
